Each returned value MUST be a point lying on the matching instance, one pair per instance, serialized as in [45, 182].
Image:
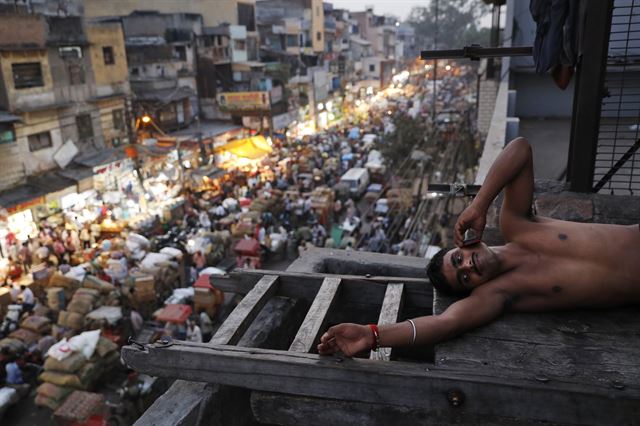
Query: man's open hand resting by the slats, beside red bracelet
[347, 338]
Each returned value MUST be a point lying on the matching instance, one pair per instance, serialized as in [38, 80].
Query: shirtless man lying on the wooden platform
[546, 264]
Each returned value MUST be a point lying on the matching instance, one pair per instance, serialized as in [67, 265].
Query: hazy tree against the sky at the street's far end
[458, 24]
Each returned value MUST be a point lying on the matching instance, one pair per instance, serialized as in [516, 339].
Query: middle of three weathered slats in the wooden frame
[316, 320]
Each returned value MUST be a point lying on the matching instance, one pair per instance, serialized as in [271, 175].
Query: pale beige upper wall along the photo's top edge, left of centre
[214, 12]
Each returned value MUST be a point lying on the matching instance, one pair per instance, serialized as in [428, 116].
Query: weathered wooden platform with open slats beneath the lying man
[569, 368]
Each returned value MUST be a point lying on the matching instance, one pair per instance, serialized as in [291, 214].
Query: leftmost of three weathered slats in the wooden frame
[240, 319]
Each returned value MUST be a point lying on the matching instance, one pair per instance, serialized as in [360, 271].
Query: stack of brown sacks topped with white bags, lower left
[77, 363]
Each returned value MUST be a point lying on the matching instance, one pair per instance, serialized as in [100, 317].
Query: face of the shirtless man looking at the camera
[469, 267]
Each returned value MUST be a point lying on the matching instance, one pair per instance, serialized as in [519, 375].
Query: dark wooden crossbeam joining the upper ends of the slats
[356, 289]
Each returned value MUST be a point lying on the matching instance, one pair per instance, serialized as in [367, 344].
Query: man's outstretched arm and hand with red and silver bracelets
[483, 306]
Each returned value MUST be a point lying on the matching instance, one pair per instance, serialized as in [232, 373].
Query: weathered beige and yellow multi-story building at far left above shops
[63, 105]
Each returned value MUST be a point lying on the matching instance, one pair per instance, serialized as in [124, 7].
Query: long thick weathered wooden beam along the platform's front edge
[412, 385]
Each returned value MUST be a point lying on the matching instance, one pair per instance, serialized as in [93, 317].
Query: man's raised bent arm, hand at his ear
[511, 171]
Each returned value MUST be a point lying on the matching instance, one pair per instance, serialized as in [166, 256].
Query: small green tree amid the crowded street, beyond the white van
[409, 134]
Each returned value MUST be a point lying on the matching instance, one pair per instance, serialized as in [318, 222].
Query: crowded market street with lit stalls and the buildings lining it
[140, 187]
